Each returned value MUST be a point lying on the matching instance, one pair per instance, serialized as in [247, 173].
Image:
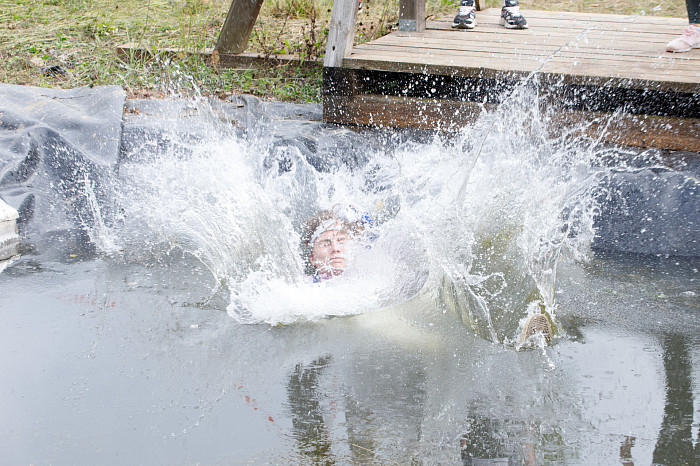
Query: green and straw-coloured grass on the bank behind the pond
[81, 36]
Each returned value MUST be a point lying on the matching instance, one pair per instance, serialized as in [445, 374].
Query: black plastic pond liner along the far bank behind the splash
[56, 141]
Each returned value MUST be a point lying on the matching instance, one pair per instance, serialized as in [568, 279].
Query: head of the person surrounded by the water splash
[328, 235]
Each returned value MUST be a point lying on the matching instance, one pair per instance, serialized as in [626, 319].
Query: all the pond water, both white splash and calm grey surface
[178, 325]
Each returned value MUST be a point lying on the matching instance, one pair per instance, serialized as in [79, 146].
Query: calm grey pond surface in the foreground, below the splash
[108, 363]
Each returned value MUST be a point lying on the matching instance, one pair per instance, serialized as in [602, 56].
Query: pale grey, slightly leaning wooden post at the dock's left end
[341, 32]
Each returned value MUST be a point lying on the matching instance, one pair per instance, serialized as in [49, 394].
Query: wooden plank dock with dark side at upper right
[587, 65]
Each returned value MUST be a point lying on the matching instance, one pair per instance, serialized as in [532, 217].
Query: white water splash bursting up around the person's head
[474, 222]
